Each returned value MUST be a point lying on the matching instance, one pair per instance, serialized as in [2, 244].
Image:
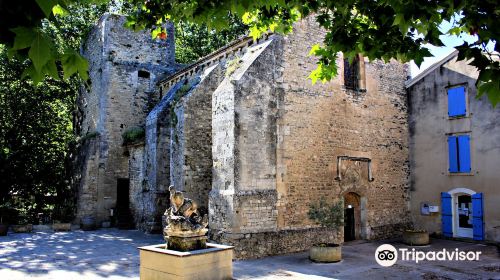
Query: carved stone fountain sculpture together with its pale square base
[186, 254]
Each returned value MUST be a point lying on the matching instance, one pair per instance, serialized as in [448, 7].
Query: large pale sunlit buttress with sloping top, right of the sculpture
[243, 197]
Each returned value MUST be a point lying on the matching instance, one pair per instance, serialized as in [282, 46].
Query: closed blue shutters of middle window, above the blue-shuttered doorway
[459, 154]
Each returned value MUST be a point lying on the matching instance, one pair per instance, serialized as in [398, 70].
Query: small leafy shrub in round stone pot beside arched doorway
[330, 216]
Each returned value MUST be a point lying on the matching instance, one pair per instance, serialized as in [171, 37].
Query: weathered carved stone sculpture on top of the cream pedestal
[186, 228]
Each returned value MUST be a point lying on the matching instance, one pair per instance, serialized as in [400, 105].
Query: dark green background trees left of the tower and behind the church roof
[37, 138]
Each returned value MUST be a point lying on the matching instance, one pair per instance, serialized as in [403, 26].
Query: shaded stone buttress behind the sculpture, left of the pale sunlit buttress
[191, 139]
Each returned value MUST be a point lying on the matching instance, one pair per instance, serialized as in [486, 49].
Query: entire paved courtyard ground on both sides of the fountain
[112, 254]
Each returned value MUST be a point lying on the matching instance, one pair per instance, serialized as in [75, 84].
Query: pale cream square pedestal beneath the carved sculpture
[214, 262]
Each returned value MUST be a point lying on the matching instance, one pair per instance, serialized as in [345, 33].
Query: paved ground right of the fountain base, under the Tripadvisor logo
[359, 263]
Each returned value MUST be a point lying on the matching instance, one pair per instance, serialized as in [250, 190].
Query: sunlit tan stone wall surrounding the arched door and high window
[321, 122]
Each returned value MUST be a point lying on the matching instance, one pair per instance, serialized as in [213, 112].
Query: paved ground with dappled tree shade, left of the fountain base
[100, 253]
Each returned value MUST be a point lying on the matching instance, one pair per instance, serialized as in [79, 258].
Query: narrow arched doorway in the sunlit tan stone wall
[352, 216]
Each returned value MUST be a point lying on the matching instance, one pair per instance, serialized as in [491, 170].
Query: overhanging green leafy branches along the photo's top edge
[376, 29]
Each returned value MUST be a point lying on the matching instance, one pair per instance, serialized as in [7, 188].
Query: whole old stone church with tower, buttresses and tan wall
[245, 134]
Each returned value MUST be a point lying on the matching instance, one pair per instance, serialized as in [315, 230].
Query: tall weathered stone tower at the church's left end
[124, 67]
